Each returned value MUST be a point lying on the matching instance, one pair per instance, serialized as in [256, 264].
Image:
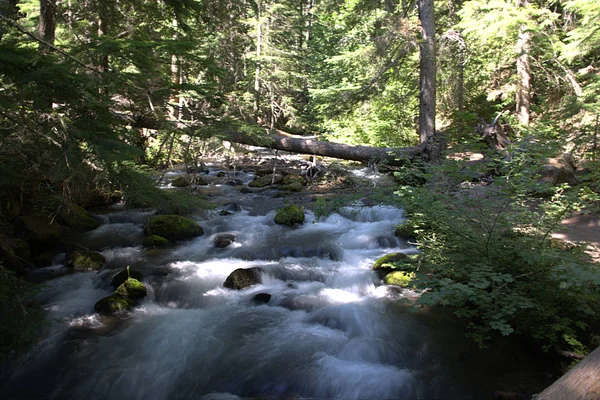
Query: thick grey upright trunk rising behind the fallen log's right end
[427, 74]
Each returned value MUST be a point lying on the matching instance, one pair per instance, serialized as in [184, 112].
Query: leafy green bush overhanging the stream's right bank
[487, 254]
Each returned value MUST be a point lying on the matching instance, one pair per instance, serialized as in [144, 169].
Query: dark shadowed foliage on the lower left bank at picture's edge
[21, 319]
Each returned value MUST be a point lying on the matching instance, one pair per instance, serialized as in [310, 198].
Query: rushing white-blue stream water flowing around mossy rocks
[329, 331]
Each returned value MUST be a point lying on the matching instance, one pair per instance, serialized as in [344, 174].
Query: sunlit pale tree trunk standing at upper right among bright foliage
[523, 71]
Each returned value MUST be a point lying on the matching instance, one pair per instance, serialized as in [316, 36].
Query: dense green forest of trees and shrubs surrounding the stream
[98, 98]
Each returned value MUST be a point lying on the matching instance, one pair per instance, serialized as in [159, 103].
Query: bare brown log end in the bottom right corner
[580, 383]
